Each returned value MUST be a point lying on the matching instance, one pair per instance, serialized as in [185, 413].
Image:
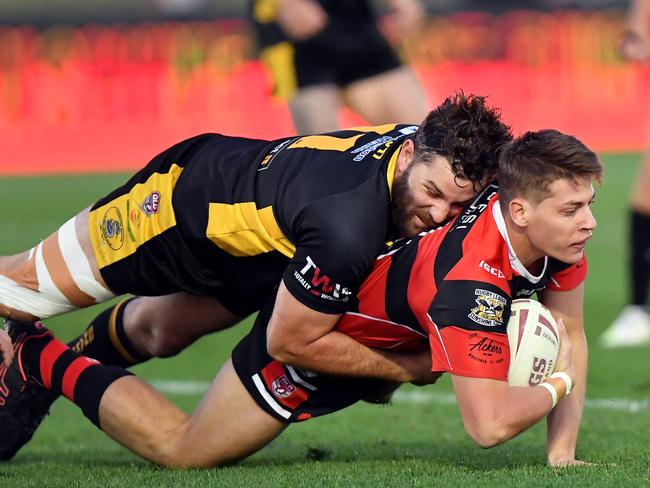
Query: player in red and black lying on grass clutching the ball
[448, 289]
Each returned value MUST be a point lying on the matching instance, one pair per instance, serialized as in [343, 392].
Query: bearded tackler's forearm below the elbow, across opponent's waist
[338, 354]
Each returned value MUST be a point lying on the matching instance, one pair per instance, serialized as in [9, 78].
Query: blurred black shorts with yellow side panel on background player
[344, 52]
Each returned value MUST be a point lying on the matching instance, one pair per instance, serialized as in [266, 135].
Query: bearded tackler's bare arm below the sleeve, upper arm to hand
[305, 338]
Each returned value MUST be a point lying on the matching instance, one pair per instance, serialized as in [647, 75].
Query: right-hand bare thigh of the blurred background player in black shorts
[392, 96]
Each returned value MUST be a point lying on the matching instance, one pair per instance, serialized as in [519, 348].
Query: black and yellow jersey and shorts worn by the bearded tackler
[234, 214]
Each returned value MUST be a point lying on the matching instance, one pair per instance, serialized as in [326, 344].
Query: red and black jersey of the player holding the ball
[452, 288]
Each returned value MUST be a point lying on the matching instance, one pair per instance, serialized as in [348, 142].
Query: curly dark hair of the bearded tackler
[468, 132]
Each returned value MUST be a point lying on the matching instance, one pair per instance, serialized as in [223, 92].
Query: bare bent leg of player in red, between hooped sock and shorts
[226, 426]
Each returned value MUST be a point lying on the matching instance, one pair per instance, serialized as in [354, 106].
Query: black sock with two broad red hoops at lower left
[61, 370]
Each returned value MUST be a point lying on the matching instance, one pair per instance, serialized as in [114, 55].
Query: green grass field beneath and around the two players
[418, 441]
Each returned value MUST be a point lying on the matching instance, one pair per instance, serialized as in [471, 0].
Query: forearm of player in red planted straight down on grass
[564, 420]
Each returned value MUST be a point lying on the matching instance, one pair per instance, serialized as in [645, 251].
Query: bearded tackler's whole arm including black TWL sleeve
[332, 258]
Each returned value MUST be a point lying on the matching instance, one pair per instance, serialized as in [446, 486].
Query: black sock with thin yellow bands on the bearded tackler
[106, 341]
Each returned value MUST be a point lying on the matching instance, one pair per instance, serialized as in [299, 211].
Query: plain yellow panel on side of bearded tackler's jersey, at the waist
[241, 229]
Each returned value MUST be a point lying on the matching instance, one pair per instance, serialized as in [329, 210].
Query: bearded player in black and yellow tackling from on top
[215, 223]
